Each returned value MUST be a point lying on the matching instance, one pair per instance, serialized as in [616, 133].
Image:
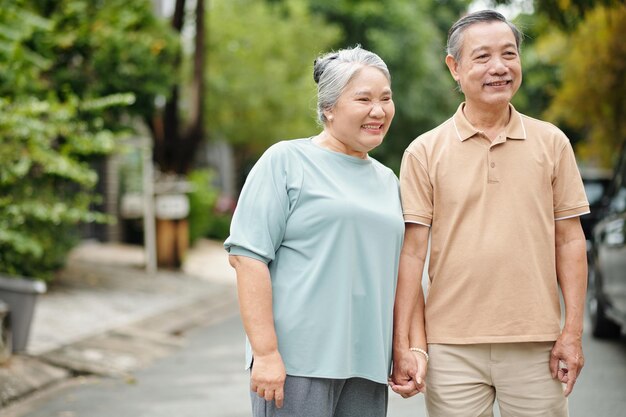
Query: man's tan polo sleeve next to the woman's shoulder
[416, 191]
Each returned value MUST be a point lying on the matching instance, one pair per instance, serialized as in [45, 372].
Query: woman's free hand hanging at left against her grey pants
[268, 377]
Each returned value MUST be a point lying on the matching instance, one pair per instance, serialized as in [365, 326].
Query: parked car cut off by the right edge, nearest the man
[606, 299]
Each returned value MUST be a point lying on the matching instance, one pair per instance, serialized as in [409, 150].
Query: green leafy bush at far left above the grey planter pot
[47, 143]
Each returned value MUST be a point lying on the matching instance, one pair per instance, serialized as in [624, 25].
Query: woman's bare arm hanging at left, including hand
[254, 290]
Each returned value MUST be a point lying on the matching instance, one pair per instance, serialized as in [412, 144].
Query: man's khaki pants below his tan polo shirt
[464, 381]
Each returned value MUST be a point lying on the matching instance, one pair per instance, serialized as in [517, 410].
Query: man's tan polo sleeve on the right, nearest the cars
[569, 198]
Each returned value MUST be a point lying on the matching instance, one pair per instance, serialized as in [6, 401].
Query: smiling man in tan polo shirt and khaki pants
[500, 195]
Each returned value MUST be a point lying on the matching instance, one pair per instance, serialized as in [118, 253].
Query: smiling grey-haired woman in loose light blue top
[315, 241]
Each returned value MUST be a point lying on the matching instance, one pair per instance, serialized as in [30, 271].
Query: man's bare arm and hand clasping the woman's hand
[409, 368]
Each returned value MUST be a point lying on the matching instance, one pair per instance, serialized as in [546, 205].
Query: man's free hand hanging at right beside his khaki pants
[567, 360]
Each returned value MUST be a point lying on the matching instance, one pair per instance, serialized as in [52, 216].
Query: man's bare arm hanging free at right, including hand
[571, 269]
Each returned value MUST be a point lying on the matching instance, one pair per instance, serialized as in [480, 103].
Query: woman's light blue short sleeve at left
[267, 197]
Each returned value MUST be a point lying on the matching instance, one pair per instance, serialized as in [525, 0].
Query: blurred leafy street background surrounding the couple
[127, 129]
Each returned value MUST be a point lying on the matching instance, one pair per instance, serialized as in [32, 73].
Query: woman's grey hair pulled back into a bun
[334, 70]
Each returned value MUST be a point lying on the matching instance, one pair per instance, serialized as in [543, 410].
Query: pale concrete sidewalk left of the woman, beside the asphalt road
[105, 315]
